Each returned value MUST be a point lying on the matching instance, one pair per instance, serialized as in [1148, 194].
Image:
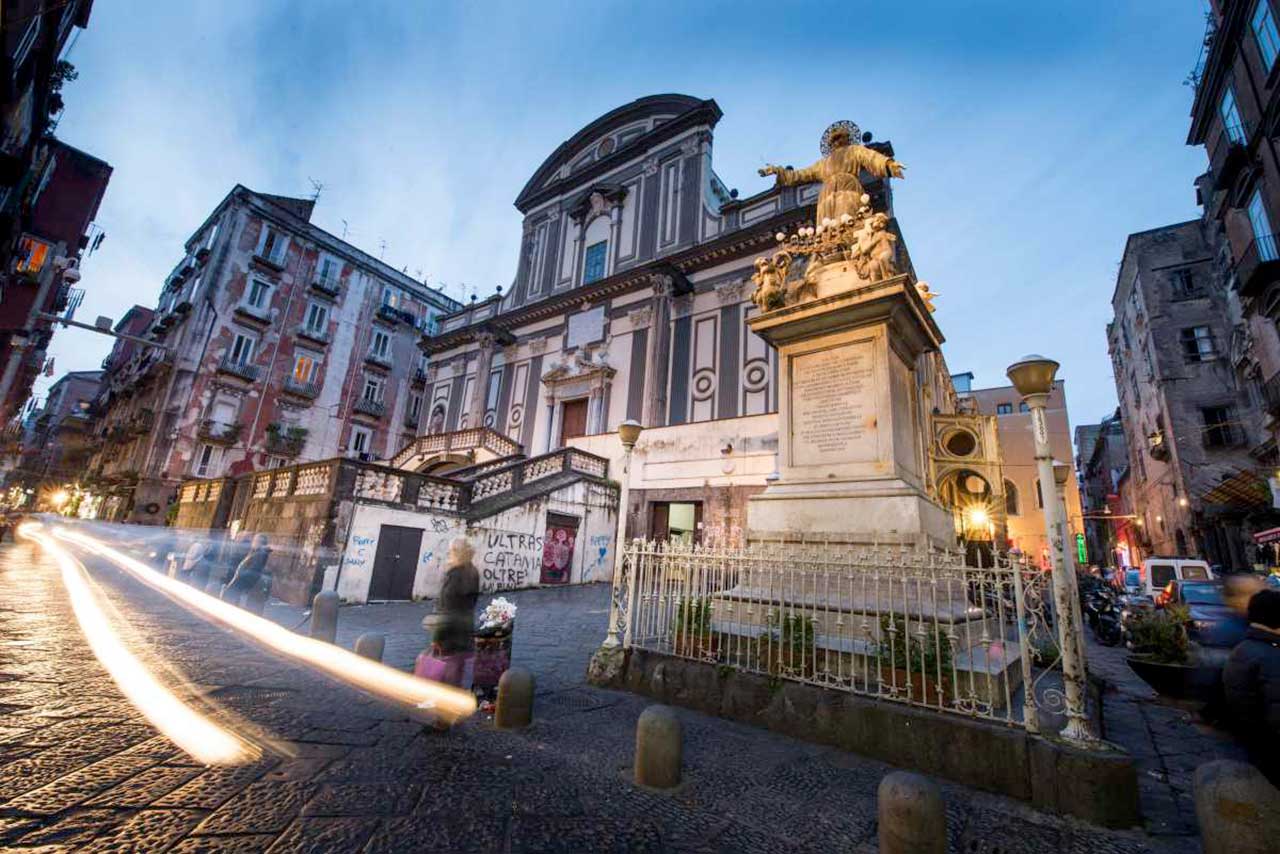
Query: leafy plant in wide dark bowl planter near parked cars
[1162, 656]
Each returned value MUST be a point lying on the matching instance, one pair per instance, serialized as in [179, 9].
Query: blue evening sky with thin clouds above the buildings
[1036, 136]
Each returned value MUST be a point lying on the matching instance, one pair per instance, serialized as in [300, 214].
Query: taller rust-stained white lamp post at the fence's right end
[1034, 378]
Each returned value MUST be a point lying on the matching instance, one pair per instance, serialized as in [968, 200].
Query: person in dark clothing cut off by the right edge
[1251, 682]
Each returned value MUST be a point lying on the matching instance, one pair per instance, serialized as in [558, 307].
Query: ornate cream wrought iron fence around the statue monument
[886, 622]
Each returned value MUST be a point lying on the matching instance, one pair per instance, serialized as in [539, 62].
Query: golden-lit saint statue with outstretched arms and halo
[844, 157]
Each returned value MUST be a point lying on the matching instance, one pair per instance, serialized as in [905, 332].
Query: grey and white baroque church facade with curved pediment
[632, 300]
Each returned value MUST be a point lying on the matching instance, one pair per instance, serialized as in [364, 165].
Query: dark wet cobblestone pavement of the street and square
[81, 771]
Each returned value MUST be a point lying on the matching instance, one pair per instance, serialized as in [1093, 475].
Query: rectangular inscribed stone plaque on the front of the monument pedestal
[834, 407]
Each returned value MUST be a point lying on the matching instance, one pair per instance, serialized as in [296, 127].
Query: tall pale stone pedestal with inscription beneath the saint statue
[852, 433]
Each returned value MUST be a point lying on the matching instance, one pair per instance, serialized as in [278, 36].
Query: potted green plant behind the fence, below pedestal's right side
[920, 663]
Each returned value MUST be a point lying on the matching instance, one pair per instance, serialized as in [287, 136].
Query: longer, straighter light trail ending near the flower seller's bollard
[387, 683]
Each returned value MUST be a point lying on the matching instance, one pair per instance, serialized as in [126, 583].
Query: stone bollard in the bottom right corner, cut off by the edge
[1237, 809]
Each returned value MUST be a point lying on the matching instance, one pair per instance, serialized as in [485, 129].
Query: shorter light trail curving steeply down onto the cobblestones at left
[180, 723]
